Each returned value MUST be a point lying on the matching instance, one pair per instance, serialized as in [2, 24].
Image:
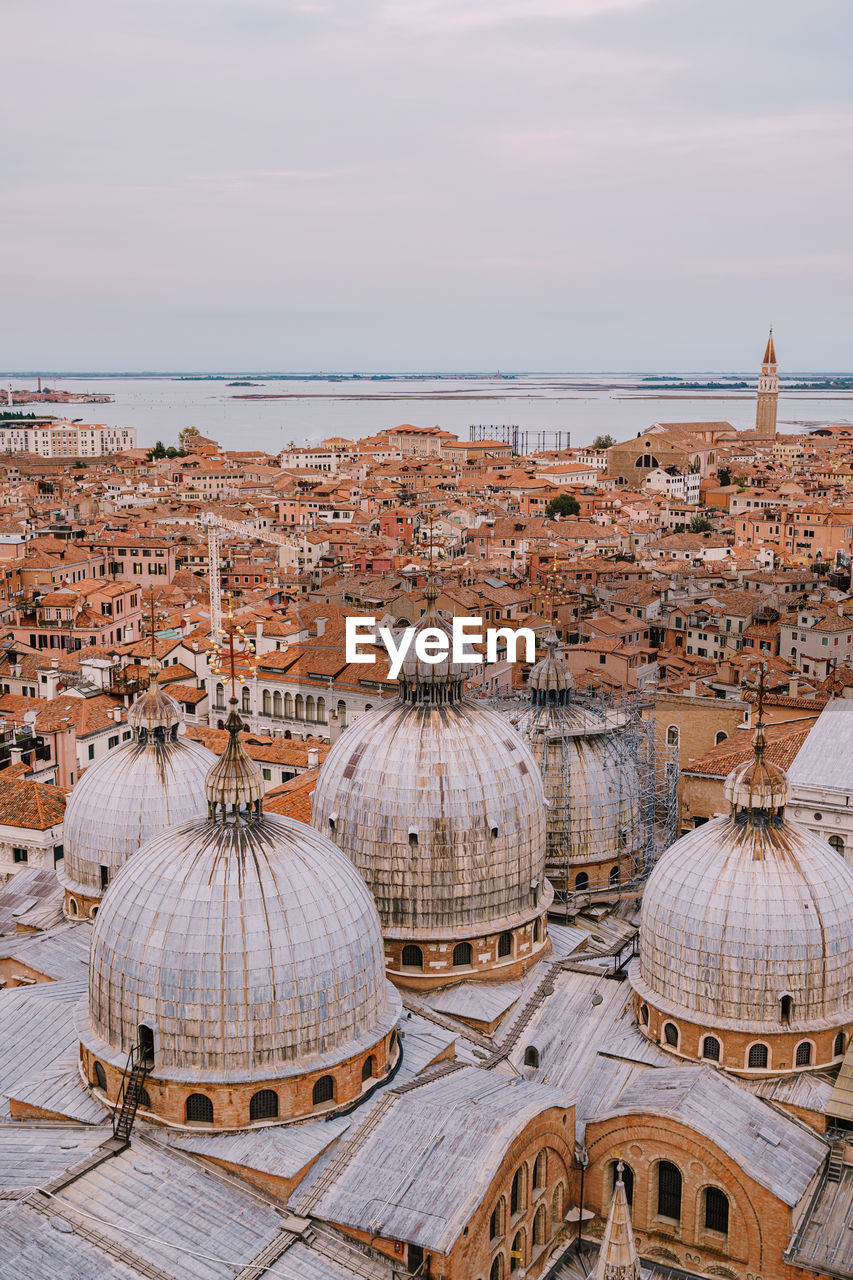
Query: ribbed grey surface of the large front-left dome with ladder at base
[252, 948]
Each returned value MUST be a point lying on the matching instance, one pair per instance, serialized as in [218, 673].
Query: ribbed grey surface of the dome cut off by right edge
[737, 916]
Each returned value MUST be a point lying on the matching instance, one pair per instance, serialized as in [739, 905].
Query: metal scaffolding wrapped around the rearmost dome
[641, 762]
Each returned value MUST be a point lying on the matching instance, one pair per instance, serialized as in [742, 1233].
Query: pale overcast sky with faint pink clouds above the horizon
[423, 185]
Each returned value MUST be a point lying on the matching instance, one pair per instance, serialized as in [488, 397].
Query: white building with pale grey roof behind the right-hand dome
[822, 779]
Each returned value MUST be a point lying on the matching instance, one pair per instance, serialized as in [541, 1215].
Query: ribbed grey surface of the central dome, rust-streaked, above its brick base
[443, 811]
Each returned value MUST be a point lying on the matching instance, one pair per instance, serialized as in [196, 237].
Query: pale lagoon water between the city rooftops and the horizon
[317, 408]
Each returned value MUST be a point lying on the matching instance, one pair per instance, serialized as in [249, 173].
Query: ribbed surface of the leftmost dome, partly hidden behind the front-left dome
[125, 799]
